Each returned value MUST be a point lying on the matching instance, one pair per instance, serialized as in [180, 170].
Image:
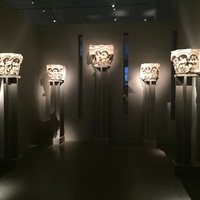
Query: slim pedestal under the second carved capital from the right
[149, 139]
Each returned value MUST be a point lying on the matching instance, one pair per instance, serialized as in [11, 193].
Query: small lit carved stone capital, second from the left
[56, 72]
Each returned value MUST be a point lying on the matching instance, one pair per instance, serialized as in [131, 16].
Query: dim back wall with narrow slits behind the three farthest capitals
[148, 42]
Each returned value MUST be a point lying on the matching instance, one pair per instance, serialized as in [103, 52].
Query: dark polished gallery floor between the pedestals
[79, 171]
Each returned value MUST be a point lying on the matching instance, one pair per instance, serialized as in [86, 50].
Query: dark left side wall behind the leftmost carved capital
[18, 35]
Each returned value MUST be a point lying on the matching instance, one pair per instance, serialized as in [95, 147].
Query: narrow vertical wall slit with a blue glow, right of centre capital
[125, 75]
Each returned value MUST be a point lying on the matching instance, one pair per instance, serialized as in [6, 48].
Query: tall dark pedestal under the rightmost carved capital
[187, 145]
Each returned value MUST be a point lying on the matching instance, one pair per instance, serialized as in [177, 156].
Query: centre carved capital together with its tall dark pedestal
[102, 57]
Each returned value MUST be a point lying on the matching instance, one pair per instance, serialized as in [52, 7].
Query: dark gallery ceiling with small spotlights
[49, 12]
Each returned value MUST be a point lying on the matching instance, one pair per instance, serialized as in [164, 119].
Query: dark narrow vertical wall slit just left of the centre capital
[80, 76]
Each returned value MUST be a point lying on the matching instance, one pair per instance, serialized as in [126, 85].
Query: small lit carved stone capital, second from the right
[149, 71]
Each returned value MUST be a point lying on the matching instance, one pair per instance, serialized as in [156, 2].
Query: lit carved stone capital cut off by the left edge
[10, 64]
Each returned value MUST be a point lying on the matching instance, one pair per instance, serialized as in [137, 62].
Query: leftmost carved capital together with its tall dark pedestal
[9, 70]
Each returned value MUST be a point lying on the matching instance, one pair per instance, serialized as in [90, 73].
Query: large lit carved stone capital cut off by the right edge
[186, 61]
